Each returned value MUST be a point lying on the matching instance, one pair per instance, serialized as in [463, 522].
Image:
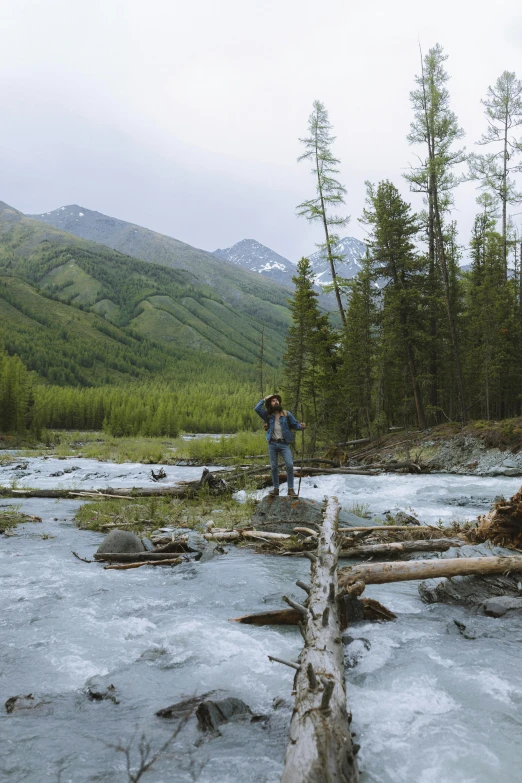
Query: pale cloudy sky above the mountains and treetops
[185, 116]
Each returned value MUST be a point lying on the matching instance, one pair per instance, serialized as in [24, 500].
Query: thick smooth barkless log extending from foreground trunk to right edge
[406, 570]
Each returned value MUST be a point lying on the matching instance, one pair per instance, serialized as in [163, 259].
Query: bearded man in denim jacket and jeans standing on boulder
[279, 425]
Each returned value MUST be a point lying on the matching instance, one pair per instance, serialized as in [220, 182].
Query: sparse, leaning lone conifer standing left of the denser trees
[329, 191]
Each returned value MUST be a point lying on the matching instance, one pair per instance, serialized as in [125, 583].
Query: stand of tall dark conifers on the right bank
[422, 340]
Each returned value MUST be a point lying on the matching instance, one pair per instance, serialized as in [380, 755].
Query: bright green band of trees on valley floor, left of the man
[153, 408]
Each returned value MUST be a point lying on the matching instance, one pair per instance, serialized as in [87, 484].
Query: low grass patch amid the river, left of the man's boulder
[143, 515]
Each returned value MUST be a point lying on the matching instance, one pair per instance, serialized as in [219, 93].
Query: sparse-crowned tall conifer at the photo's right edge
[493, 170]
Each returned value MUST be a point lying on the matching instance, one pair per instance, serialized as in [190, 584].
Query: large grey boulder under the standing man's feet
[282, 514]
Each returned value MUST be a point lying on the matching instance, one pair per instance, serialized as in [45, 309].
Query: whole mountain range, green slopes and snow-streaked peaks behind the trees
[94, 299]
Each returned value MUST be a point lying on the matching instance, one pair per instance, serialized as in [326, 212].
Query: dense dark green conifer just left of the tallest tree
[393, 228]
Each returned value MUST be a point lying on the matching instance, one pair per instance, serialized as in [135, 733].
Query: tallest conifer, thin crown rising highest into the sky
[435, 126]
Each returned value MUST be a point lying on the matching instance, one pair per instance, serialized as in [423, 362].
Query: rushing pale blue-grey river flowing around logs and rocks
[429, 704]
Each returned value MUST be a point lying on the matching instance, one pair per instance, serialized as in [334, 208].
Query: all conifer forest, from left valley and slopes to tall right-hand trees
[428, 331]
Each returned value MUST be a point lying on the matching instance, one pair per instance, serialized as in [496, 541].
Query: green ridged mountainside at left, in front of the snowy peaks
[86, 314]
